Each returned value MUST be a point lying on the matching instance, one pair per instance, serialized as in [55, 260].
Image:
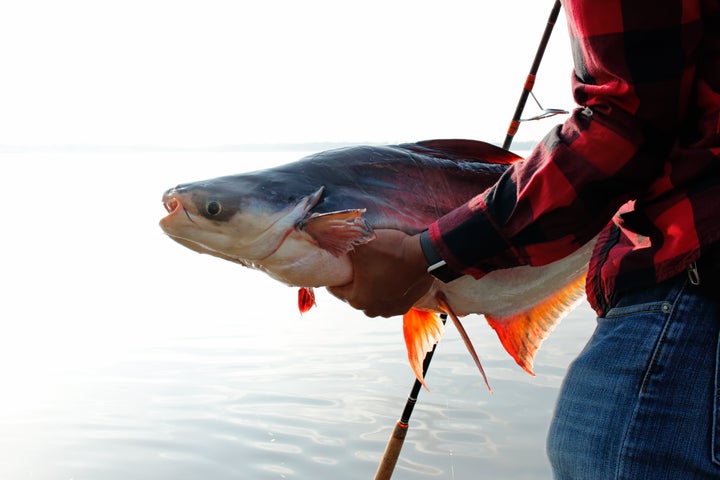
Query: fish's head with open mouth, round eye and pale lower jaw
[232, 218]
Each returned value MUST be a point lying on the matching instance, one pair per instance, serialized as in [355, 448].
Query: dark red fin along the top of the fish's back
[472, 150]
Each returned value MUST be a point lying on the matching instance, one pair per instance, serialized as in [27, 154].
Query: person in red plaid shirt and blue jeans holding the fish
[636, 170]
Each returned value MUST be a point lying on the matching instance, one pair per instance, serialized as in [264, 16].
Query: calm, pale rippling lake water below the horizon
[126, 356]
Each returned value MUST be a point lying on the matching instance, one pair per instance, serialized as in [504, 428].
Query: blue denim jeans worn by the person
[642, 400]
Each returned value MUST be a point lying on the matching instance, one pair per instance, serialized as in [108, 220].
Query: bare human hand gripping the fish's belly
[389, 275]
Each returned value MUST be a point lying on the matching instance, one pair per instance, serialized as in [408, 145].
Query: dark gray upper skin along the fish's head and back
[403, 186]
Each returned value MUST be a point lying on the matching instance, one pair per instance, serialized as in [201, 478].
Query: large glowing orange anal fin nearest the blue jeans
[522, 334]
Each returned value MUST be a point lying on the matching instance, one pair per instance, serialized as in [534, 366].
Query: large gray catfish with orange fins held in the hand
[298, 223]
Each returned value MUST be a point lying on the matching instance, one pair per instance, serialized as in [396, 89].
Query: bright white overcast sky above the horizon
[226, 72]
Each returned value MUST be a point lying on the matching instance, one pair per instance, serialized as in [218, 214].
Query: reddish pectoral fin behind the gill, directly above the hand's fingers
[338, 232]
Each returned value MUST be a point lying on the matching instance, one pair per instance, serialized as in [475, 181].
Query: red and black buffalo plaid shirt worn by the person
[637, 165]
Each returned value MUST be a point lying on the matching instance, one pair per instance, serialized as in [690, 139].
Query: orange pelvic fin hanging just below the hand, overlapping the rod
[422, 330]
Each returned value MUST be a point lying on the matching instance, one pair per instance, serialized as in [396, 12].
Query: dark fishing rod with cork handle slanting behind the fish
[397, 437]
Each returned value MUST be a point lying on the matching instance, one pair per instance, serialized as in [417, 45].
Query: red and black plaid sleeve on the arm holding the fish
[634, 65]
